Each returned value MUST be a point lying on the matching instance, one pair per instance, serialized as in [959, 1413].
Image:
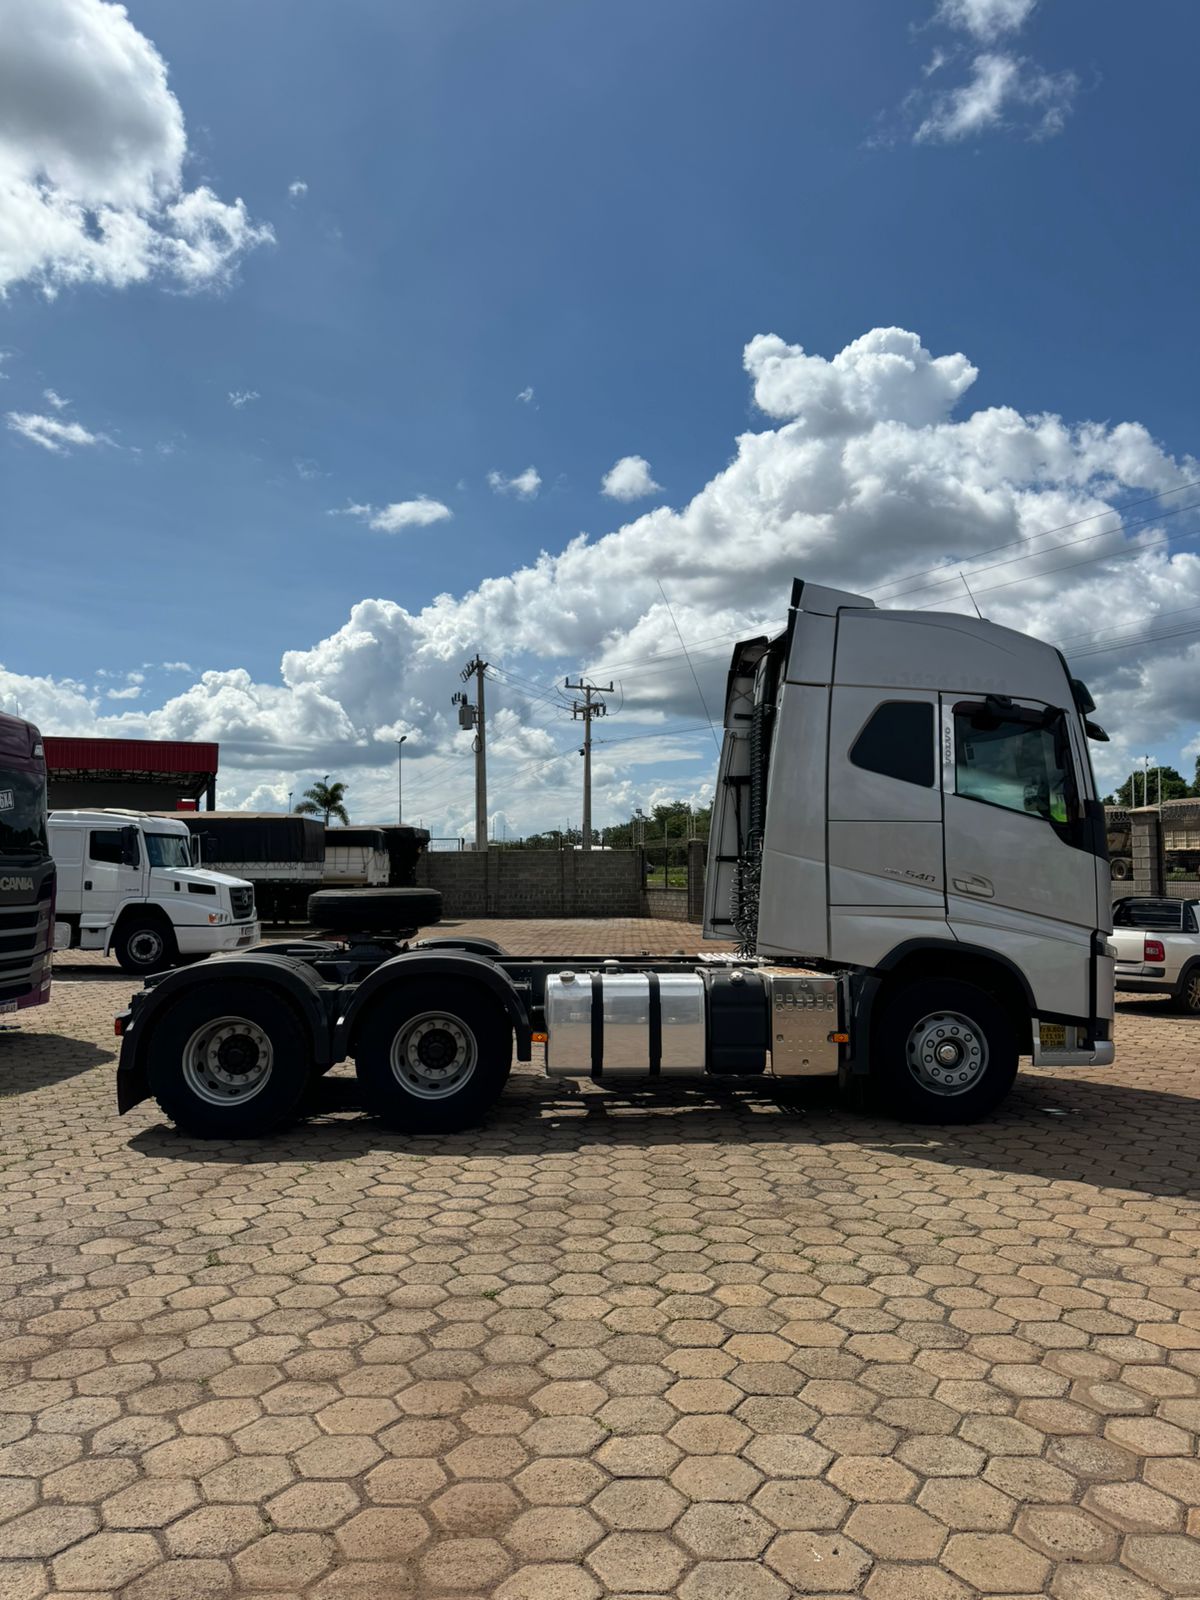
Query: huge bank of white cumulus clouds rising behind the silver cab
[866, 466]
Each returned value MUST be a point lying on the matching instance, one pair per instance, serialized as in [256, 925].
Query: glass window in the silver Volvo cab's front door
[1017, 766]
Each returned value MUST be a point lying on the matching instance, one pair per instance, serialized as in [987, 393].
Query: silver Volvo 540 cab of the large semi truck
[910, 796]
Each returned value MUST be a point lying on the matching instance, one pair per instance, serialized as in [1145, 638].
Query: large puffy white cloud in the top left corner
[92, 159]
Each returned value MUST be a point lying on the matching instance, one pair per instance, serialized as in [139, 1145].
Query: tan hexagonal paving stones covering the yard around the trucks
[697, 1345]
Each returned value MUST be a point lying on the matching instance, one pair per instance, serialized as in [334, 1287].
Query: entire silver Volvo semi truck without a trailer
[906, 846]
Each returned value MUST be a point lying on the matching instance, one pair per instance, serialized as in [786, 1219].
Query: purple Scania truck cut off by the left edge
[26, 870]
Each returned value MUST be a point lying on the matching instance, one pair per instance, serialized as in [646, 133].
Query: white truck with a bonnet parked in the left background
[127, 884]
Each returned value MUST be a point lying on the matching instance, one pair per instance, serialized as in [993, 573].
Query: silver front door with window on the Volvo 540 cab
[1020, 873]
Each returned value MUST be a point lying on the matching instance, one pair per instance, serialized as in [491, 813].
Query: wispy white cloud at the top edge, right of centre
[1001, 90]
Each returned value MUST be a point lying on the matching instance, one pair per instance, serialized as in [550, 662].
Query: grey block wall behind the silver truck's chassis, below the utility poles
[535, 882]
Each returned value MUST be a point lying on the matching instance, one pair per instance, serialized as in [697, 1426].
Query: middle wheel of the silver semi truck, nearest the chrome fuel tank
[433, 1058]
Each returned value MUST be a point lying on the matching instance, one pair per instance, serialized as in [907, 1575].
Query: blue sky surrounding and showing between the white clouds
[604, 206]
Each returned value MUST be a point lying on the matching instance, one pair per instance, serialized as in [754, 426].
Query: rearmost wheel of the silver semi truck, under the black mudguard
[191, 1068]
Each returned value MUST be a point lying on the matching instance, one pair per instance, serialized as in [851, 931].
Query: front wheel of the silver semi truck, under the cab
[927, 1017]
